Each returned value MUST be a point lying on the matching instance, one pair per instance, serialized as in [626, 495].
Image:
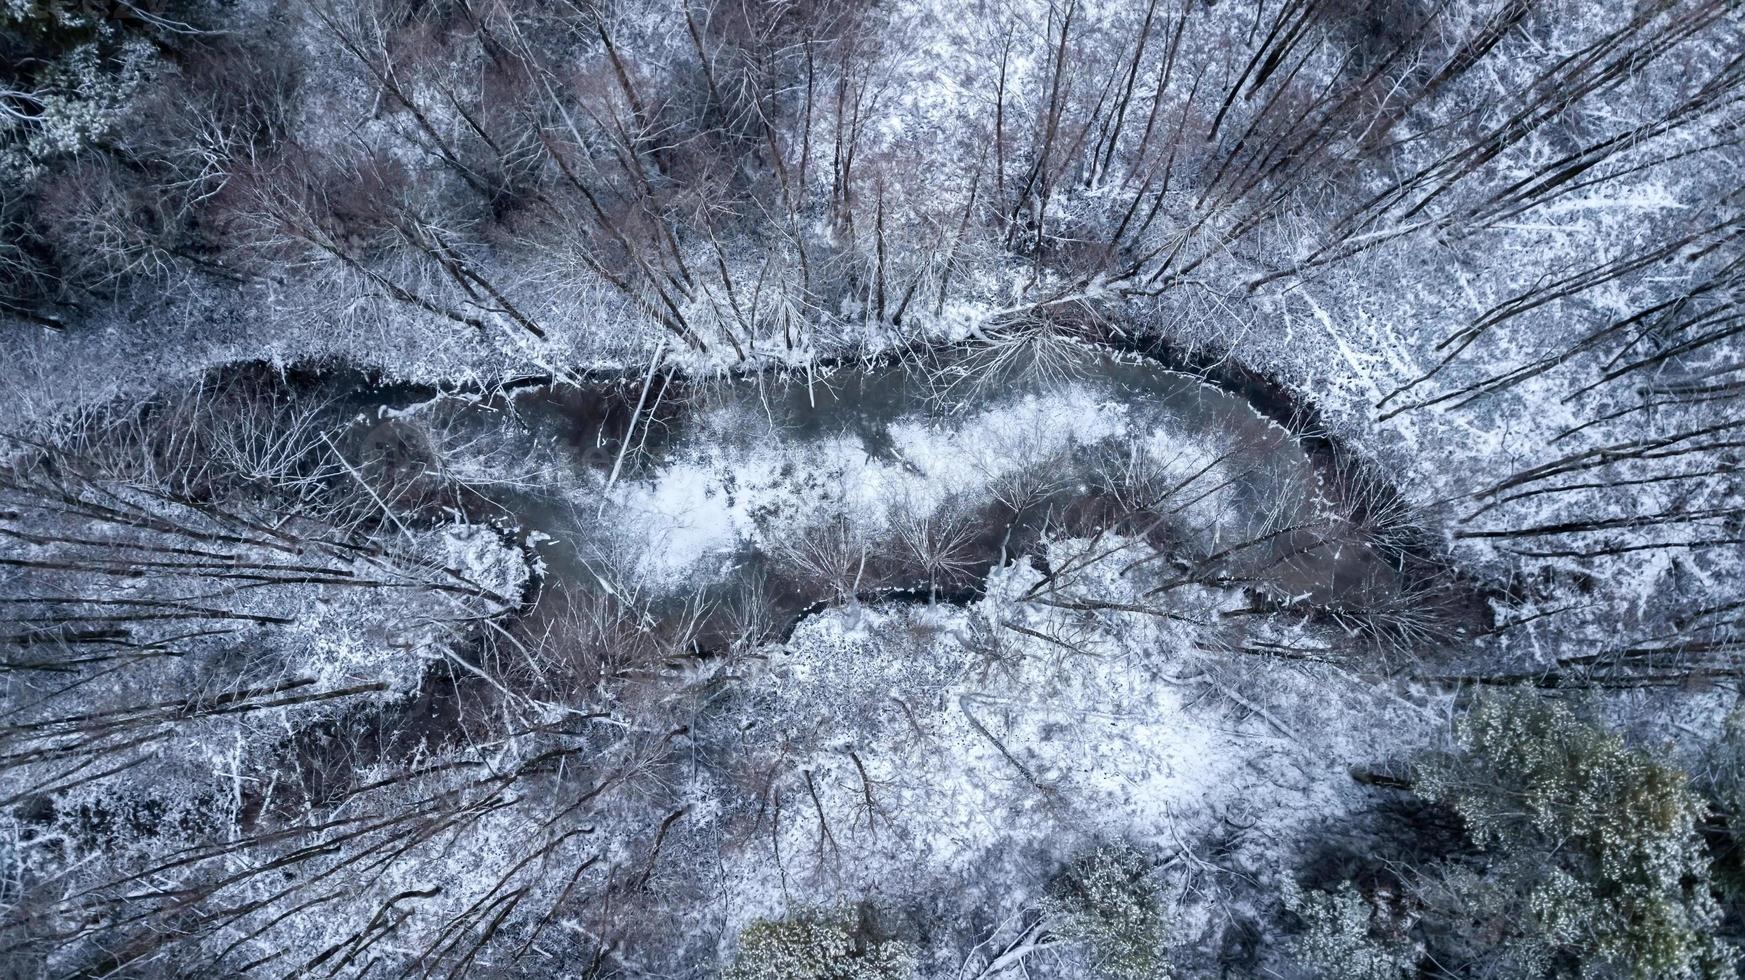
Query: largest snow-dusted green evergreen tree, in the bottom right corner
[1592, 859]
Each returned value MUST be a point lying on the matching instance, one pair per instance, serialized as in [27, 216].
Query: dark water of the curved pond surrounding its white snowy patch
[558, 449]
